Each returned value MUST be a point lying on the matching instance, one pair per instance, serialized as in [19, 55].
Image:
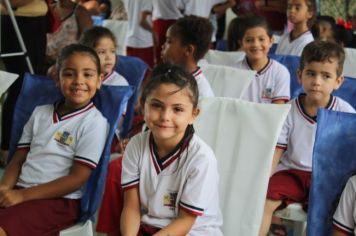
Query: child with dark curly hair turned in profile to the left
[187, 42]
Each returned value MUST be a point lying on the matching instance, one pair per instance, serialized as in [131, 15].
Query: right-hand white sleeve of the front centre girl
[201, 187]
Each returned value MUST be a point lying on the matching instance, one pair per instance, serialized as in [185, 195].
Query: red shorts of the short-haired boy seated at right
[290, 186]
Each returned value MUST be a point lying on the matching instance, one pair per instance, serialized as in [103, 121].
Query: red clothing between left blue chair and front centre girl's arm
[112, 202]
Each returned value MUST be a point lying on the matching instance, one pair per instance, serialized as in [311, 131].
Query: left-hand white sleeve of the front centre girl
[130, 175]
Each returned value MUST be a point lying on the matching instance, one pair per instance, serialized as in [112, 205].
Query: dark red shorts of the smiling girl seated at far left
[40, 217]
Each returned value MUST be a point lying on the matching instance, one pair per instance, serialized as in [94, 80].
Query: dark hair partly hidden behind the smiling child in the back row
[235, 33]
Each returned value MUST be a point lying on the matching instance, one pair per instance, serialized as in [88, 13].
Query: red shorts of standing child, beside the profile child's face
[160, 28]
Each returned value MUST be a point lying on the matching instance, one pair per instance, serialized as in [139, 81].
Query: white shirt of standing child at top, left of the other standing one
[137, 36]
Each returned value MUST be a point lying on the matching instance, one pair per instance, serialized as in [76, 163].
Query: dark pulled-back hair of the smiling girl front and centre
[171, 74]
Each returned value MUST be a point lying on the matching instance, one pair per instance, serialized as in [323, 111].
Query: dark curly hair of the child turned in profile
[196, 31]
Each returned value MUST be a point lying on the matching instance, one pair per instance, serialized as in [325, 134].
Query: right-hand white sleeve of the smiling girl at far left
[91, 141]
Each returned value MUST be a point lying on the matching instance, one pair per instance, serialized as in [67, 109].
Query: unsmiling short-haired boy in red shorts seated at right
[320, 73]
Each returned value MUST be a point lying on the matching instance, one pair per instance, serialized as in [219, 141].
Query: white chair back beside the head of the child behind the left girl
[119, 28]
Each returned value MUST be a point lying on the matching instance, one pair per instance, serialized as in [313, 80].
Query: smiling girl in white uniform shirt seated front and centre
[169, 174]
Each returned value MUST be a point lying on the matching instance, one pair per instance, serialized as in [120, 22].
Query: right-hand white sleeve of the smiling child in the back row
[282, 84]
